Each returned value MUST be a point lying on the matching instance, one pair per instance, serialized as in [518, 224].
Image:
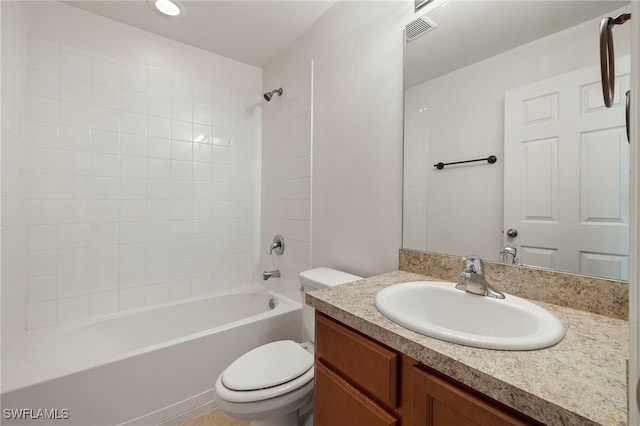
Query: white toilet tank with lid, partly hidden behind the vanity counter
[315, 279]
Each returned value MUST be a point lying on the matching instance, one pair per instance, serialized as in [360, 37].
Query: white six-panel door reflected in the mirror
[567, 174]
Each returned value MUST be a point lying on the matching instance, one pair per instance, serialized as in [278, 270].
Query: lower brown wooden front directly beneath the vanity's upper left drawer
[336, 402]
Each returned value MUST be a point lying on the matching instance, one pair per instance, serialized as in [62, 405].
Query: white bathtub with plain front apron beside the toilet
[140, 368]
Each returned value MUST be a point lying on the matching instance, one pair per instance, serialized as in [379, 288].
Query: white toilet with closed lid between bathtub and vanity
[272, 385]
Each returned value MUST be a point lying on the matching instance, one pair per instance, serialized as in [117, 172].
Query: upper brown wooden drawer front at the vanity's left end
[365, 363]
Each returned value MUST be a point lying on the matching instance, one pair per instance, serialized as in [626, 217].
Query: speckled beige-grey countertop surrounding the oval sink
[580, 381]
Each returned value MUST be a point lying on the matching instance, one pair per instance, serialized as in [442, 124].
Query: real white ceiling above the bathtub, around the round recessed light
[249, 31]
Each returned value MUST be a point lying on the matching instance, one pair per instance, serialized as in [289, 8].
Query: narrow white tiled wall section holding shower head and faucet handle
[286, 180]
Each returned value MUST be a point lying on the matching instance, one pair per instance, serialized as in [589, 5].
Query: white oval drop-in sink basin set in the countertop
[437, 309]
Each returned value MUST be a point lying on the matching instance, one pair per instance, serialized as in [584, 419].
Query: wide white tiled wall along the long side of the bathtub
[142, 185]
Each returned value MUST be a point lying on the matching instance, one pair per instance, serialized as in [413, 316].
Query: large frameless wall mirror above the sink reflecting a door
[518, 80]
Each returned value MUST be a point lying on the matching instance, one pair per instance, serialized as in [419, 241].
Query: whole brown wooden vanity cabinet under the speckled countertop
[360, 382]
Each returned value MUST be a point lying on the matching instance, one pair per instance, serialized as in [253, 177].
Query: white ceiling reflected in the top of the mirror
[476, 30]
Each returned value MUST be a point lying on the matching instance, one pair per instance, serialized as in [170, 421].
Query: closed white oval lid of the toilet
[268, 365]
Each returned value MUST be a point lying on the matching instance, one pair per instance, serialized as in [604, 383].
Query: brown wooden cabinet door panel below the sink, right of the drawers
[437, 402]
